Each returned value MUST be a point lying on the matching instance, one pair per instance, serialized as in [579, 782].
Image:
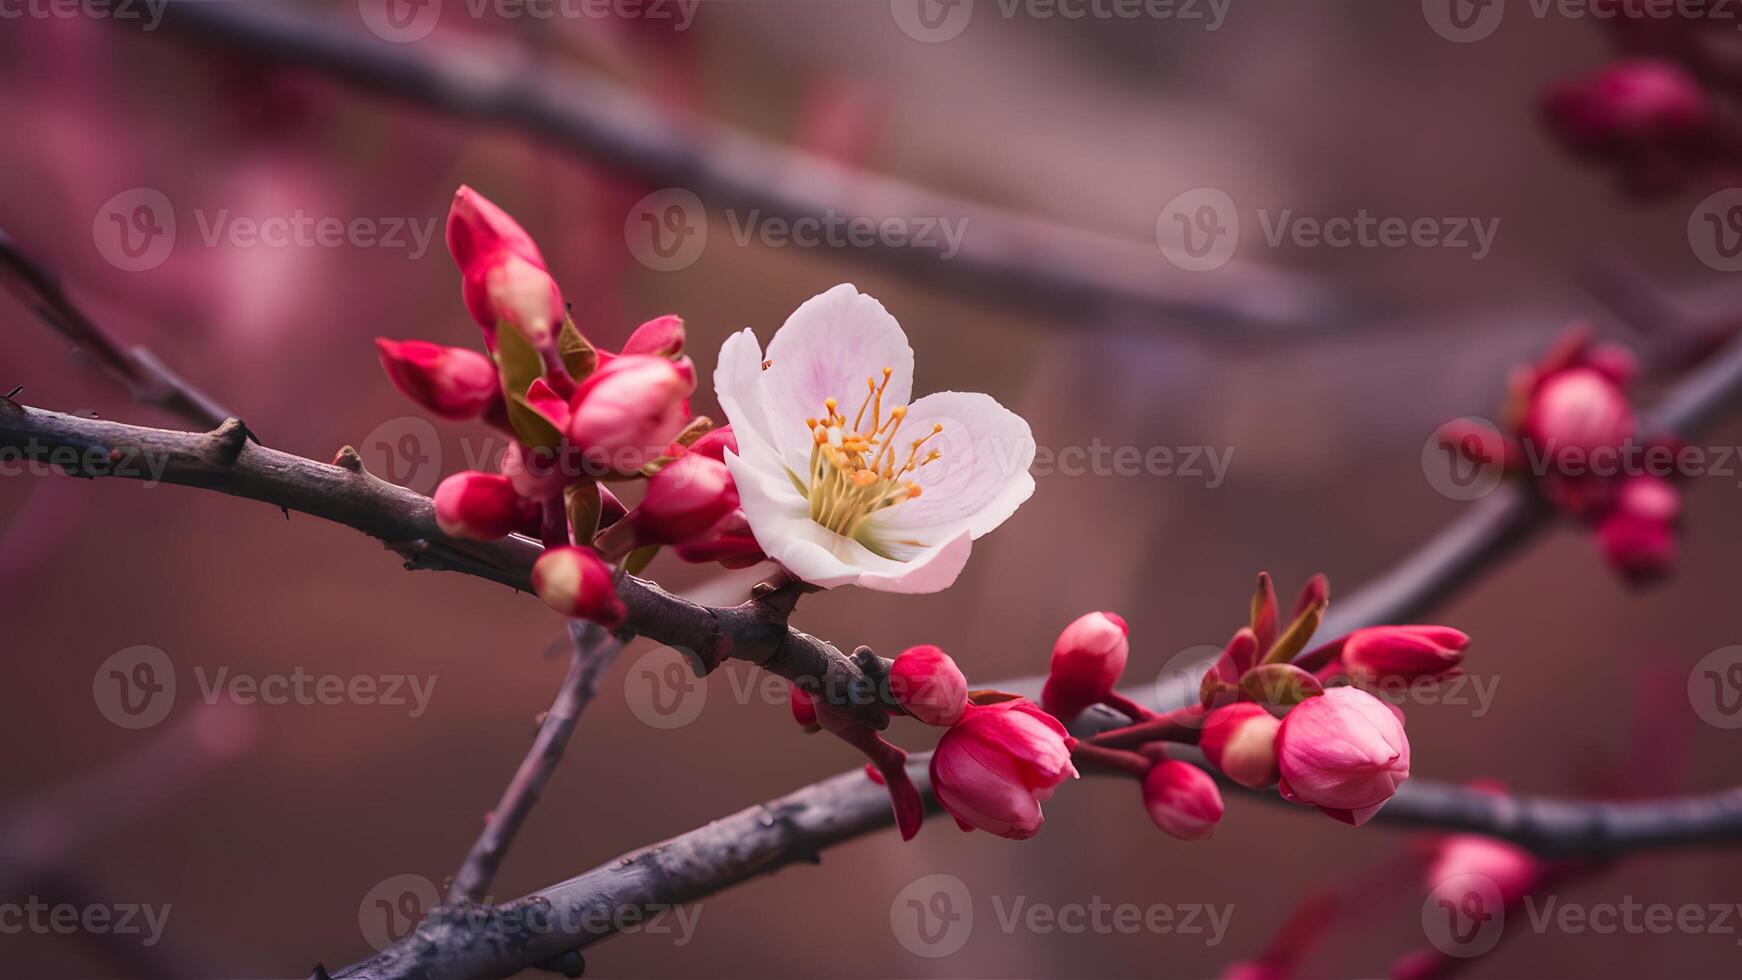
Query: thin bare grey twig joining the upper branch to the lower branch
[593, 652]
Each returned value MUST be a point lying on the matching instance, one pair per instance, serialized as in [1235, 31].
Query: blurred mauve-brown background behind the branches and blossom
[1325, 398]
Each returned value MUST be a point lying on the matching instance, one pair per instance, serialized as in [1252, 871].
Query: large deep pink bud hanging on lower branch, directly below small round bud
[999, 763]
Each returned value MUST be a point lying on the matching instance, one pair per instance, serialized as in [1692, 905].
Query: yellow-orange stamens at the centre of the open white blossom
[861, 469]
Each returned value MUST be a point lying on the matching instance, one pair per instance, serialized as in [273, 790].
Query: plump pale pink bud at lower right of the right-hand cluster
[1344, 753]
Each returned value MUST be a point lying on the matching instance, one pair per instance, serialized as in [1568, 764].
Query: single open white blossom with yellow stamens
[842, 480]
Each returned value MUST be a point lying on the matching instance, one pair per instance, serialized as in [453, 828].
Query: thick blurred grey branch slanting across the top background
[1023, 262]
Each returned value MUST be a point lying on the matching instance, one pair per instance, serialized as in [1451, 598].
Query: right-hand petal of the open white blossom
[978, 483]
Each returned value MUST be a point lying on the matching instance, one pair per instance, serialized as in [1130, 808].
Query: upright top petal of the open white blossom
[827, 349]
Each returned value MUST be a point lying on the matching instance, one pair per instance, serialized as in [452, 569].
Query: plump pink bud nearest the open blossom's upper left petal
[628, 413]
